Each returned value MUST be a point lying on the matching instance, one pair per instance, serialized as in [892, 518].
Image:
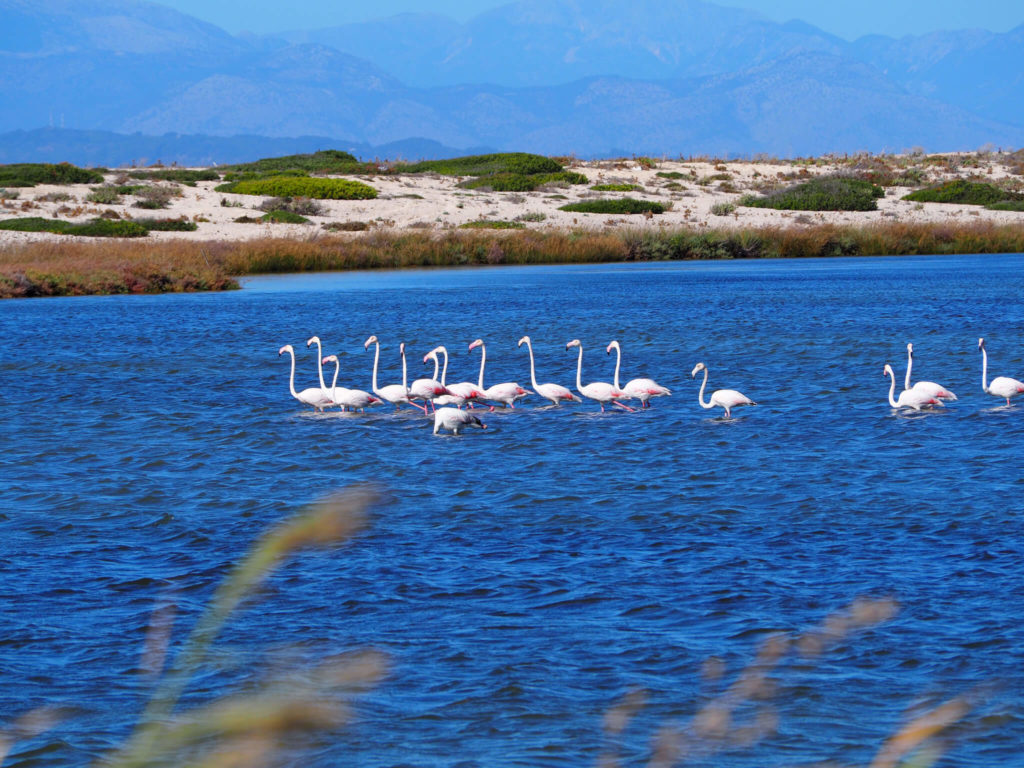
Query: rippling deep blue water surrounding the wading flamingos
[524, 579]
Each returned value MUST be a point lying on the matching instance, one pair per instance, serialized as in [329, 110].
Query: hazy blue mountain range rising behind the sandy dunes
[558, 77]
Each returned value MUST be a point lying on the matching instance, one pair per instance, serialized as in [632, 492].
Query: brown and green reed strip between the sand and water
[72, 268]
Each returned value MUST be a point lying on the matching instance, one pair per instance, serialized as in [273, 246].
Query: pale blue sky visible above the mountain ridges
[847, 20]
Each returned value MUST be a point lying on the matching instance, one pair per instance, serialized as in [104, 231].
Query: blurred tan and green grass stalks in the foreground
[254, 730]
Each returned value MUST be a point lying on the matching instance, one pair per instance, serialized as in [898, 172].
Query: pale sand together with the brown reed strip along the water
[420, 221]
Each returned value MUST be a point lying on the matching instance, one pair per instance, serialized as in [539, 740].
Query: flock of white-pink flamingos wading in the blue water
[448, 401]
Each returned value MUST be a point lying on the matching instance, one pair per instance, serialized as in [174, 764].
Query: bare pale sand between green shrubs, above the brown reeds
[428, 202]
